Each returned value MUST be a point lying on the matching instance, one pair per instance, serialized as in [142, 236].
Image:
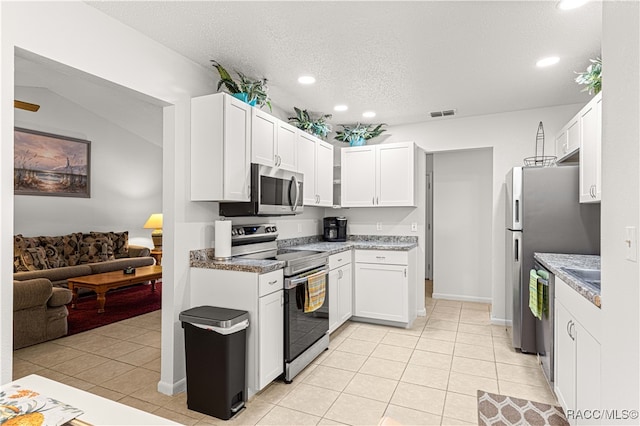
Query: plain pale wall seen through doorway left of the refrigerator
[462, 211]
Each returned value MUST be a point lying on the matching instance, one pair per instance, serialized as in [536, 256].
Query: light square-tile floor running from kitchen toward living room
[426, 375]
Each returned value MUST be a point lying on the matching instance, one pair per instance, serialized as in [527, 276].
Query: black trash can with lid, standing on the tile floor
[215, 341]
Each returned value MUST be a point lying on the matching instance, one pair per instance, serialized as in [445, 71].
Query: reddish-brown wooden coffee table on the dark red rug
[101, 283]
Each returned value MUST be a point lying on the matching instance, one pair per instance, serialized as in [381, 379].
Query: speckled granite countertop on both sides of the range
[205, 258]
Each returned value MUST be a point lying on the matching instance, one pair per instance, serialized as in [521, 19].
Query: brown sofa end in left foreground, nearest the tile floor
[39, 312]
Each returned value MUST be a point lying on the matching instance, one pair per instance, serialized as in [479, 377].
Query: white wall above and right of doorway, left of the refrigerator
[512, 136]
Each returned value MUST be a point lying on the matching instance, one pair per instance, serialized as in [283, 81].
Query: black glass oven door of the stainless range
[301, 330]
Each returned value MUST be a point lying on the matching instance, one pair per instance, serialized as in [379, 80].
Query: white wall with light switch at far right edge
[620, 206]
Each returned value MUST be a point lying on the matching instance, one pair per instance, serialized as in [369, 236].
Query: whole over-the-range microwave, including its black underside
[274, 192]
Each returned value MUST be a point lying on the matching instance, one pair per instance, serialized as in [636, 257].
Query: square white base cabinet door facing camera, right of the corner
[381, 292]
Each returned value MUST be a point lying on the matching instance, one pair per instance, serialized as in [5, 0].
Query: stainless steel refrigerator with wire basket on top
[543, 215]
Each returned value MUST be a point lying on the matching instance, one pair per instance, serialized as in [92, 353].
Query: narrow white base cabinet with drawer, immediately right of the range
[340, 289]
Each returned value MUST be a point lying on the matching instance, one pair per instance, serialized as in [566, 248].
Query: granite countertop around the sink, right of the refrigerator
[554, 262]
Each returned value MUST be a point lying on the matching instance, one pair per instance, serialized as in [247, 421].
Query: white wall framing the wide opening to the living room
[81, 37]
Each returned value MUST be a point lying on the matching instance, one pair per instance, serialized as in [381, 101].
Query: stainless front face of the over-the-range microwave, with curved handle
[277, 191]
